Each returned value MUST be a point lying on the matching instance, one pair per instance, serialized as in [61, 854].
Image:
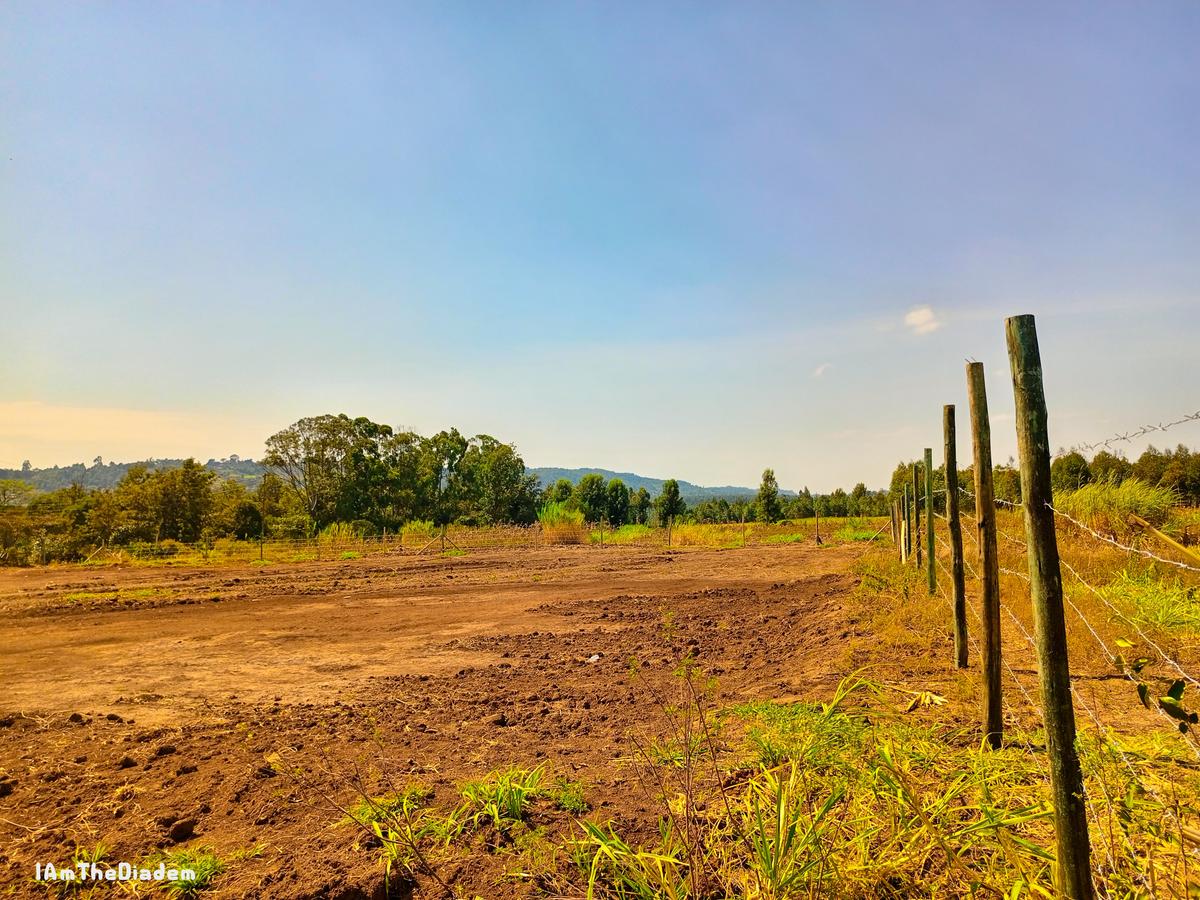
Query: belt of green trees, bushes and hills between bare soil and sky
[367, 478]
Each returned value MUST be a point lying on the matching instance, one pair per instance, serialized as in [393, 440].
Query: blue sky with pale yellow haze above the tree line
[680, 239]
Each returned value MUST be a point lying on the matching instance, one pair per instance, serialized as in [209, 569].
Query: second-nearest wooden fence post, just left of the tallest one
[989, 560]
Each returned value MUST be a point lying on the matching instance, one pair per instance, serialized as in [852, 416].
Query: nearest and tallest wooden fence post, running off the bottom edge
[1046, 590]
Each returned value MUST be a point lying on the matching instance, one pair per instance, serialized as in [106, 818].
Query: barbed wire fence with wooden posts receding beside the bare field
[1079, 587]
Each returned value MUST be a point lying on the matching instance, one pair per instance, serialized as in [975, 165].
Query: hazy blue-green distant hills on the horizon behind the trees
[109, 475]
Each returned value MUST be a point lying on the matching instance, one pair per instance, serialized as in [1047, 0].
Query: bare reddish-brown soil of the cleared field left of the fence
[416, 668]
